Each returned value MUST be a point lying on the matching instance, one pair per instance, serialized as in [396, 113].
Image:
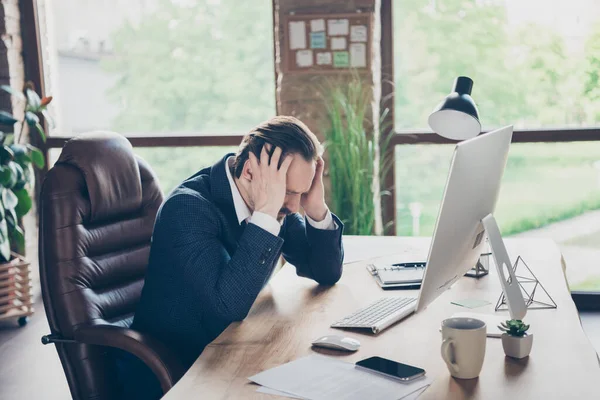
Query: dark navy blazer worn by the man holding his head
[206, 270]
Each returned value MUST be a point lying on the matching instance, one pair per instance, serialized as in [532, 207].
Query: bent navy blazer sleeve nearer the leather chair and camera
[226, 285]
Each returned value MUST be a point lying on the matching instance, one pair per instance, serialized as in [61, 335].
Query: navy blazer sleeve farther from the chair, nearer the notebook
[316, 253]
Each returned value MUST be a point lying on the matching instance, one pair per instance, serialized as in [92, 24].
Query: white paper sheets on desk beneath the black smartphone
[318, 377]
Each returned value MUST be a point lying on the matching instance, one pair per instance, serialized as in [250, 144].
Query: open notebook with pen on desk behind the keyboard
[407, 275]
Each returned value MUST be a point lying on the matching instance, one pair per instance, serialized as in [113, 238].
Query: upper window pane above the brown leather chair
[158, 67]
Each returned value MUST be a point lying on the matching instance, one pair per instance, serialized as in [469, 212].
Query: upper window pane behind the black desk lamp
[535, 63]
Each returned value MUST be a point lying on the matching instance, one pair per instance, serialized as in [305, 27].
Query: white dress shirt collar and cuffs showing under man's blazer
[263, 220]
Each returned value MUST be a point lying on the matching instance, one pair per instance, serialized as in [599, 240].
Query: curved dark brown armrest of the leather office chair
[163, 363]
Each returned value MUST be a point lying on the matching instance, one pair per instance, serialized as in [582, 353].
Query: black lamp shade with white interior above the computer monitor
[457, 117]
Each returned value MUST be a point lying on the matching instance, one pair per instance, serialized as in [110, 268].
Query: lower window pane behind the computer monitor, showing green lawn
[548, 190]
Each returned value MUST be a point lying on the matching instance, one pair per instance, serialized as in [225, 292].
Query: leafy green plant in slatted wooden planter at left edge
[17, 160]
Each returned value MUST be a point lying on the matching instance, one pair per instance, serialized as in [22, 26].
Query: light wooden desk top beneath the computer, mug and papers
[291, 311]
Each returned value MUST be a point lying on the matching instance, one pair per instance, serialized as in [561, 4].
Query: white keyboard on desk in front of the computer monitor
[379, 315]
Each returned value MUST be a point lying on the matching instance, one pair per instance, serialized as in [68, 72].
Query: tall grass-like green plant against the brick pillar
[358, 162]
